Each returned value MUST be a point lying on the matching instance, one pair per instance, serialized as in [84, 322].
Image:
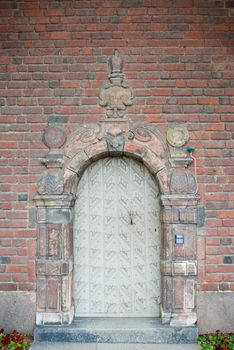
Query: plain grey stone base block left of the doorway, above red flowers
[18, 311]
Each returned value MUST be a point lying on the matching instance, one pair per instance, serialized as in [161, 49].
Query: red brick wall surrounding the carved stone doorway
[53, 60]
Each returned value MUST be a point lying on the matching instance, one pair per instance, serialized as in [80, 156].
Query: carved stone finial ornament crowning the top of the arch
[116, 95]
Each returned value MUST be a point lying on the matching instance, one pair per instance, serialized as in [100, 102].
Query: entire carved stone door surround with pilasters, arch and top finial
[69, 156]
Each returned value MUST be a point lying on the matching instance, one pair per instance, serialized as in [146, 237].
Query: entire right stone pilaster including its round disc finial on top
[179, 236]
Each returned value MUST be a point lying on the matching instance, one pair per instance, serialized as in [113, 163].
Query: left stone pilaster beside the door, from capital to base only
[54, 259]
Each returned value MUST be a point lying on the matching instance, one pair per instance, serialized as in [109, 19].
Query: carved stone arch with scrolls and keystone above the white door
[142, 142]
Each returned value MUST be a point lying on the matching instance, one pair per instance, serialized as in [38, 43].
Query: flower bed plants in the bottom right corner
[216, 341]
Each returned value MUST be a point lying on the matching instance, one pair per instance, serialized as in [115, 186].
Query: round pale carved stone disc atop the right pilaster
[177, 135]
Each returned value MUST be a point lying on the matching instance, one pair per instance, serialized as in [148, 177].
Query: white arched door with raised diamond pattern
[117, 241]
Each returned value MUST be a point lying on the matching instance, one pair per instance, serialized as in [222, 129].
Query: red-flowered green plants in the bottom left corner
[13, 341]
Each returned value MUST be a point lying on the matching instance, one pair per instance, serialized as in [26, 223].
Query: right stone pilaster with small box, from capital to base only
[179, 264]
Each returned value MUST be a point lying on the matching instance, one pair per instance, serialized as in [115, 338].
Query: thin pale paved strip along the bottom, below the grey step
[99, 346]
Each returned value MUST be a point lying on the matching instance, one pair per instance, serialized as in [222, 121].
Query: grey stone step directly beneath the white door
[117, 330]
